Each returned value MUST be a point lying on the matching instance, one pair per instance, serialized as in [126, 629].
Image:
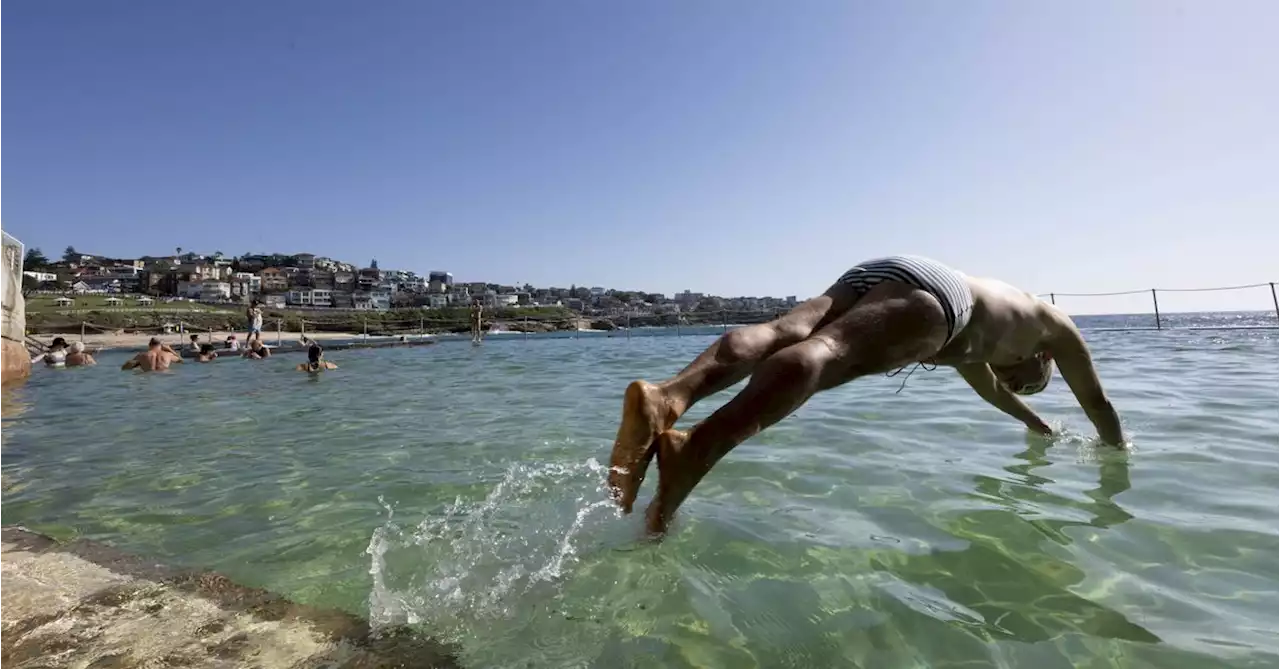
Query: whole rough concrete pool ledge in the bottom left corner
[88, 606]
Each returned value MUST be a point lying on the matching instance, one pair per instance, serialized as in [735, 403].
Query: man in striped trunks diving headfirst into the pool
[880, 317]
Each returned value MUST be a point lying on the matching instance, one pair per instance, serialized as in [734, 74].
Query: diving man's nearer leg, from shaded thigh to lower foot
[894, 326]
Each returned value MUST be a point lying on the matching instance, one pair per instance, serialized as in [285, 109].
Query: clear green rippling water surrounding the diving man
[459, 489]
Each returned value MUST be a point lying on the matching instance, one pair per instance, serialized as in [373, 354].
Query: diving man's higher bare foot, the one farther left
[646, 414]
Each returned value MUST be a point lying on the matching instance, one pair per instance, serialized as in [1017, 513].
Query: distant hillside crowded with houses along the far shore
[310, 282]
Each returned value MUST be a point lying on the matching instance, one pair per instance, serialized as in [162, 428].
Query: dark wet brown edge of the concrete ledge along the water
[396, 647]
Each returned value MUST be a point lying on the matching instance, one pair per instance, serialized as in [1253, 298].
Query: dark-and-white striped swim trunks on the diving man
[930, 276]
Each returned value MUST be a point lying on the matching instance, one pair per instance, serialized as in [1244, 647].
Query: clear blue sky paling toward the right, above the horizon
[730, 148]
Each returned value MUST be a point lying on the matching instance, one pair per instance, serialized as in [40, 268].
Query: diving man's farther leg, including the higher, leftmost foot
[650, 409]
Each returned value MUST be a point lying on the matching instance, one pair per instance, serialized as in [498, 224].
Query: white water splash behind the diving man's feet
[487, 560]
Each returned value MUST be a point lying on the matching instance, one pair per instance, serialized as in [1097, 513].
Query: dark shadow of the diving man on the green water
[1021, 590]
